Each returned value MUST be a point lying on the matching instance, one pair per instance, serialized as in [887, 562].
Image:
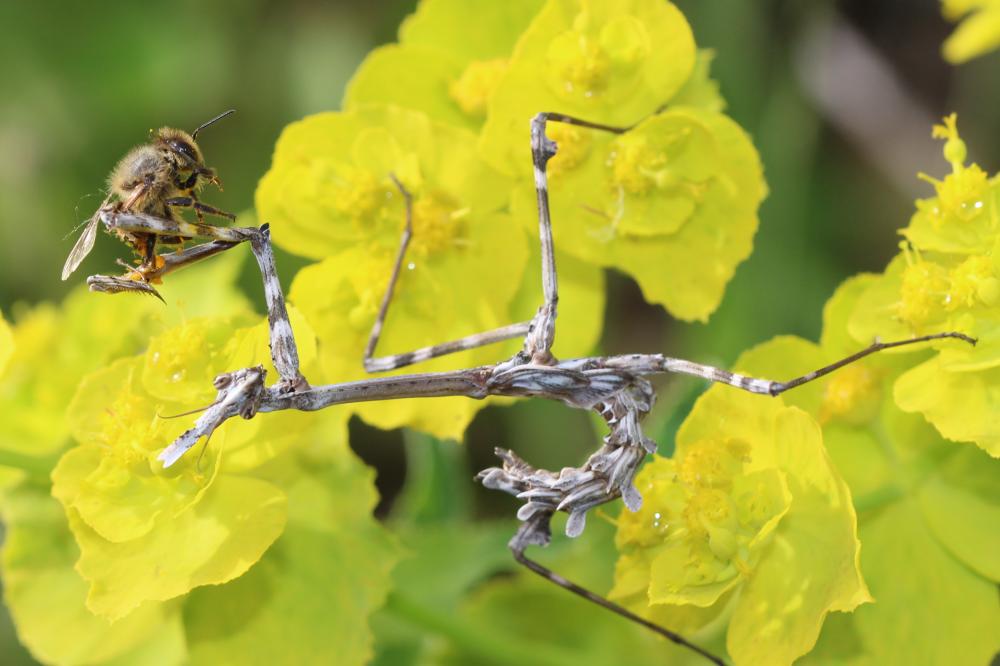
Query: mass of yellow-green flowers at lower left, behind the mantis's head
[131, 539]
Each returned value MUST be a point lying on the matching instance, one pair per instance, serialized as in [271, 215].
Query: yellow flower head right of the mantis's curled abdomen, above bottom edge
[749, 518]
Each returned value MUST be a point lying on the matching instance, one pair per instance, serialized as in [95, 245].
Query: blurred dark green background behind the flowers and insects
[838, 96]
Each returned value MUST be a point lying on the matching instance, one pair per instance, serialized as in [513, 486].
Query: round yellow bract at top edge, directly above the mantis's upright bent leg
[610, 62]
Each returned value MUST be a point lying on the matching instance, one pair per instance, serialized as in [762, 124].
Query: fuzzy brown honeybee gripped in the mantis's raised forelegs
[153, 178]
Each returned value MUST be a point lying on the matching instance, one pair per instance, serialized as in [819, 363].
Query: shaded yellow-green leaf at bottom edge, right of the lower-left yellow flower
[310, 596]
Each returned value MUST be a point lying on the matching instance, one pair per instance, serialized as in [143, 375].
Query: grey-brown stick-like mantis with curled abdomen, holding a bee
[616, 387]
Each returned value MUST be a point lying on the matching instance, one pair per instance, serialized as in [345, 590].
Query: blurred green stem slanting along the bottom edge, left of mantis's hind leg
[487, 646]
